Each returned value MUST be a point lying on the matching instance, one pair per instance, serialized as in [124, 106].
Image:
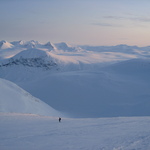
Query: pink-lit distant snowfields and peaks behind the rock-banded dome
[64, 53]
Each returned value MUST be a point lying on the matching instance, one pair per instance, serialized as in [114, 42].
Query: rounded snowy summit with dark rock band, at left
[31, 58]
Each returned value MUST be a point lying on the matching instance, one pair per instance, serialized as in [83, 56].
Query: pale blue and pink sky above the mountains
[81, 22]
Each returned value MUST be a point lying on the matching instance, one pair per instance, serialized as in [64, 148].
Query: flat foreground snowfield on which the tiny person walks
[32, 132]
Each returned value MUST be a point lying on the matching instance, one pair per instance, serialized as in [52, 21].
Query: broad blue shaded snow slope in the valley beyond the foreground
[118, 90]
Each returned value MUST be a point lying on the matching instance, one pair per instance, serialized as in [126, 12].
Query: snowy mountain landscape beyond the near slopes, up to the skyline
[106, 82]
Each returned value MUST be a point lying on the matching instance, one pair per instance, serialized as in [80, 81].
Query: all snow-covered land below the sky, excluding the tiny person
[101, 93]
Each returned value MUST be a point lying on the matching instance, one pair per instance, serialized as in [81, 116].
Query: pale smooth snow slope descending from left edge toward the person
[15, 100]
